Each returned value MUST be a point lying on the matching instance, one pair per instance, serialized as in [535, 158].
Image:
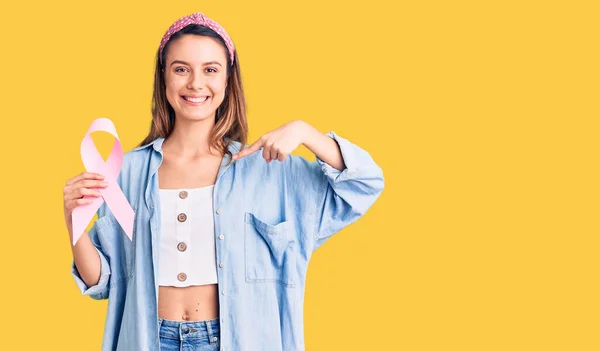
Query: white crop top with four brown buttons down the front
[187, 238]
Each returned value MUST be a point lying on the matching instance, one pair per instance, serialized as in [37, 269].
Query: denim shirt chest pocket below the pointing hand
[269, 251]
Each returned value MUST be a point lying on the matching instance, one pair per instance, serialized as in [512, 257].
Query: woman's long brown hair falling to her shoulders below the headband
[230, 117]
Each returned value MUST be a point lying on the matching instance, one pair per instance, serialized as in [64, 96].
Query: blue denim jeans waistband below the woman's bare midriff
[189, 336]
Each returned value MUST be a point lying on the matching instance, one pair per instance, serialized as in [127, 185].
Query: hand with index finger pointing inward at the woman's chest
[279, 143]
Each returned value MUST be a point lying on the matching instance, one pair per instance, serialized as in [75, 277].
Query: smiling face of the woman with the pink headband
[196, 67]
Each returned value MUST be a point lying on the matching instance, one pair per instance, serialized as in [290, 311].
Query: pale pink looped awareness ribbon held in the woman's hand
[112, 194]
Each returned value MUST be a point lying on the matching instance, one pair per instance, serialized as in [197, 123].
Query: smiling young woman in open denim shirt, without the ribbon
[223, 233]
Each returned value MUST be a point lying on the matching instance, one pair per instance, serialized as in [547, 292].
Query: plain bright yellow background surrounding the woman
[482, 114]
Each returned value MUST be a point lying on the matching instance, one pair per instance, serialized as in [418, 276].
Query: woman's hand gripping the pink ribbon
[81, 190]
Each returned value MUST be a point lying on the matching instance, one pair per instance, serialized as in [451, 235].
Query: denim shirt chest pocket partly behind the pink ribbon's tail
[116, 245]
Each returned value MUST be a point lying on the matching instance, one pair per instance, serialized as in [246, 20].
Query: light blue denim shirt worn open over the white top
[269, 218]
